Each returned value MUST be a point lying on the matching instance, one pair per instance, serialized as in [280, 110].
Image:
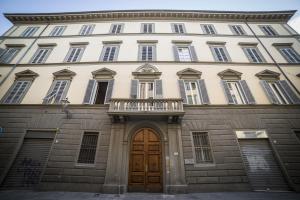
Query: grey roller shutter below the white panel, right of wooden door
[263, 171]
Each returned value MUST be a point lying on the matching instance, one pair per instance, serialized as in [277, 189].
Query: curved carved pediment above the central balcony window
[146, 71]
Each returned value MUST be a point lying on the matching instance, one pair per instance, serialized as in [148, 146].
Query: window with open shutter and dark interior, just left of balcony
[98, 91]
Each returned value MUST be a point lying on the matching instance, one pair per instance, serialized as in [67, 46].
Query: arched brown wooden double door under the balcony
[145, 166]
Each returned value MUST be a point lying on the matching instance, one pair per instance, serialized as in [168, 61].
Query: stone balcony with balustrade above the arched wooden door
[123, 109]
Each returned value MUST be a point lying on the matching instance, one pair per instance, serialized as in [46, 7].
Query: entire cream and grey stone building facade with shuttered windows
[150, 101]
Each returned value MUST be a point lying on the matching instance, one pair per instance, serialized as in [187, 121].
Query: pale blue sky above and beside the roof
[45, 6]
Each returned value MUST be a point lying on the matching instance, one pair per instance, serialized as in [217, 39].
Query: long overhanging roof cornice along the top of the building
[254, 16]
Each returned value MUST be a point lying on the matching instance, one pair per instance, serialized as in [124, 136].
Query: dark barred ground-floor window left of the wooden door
[88, 148]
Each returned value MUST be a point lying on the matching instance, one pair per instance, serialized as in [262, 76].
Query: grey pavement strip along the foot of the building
[32, 195]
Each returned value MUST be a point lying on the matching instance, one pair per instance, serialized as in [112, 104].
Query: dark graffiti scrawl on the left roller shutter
[31, 170]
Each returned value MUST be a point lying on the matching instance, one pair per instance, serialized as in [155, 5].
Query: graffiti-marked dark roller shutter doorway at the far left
[28, 165]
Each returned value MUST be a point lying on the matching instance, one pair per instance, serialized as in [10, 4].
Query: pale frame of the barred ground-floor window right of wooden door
[209, 147]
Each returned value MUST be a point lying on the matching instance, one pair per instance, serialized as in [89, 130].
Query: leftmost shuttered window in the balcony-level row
[16, 93]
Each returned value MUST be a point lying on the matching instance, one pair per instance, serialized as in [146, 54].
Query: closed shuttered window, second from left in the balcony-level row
[57, 92]
